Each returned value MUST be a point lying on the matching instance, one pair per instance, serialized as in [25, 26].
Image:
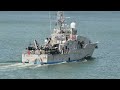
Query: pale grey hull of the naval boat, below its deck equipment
[73, 55]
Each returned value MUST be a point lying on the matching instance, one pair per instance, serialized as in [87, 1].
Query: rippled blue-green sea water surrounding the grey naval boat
[19, 28]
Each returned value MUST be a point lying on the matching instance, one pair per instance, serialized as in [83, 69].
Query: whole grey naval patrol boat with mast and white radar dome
[64, 45]
